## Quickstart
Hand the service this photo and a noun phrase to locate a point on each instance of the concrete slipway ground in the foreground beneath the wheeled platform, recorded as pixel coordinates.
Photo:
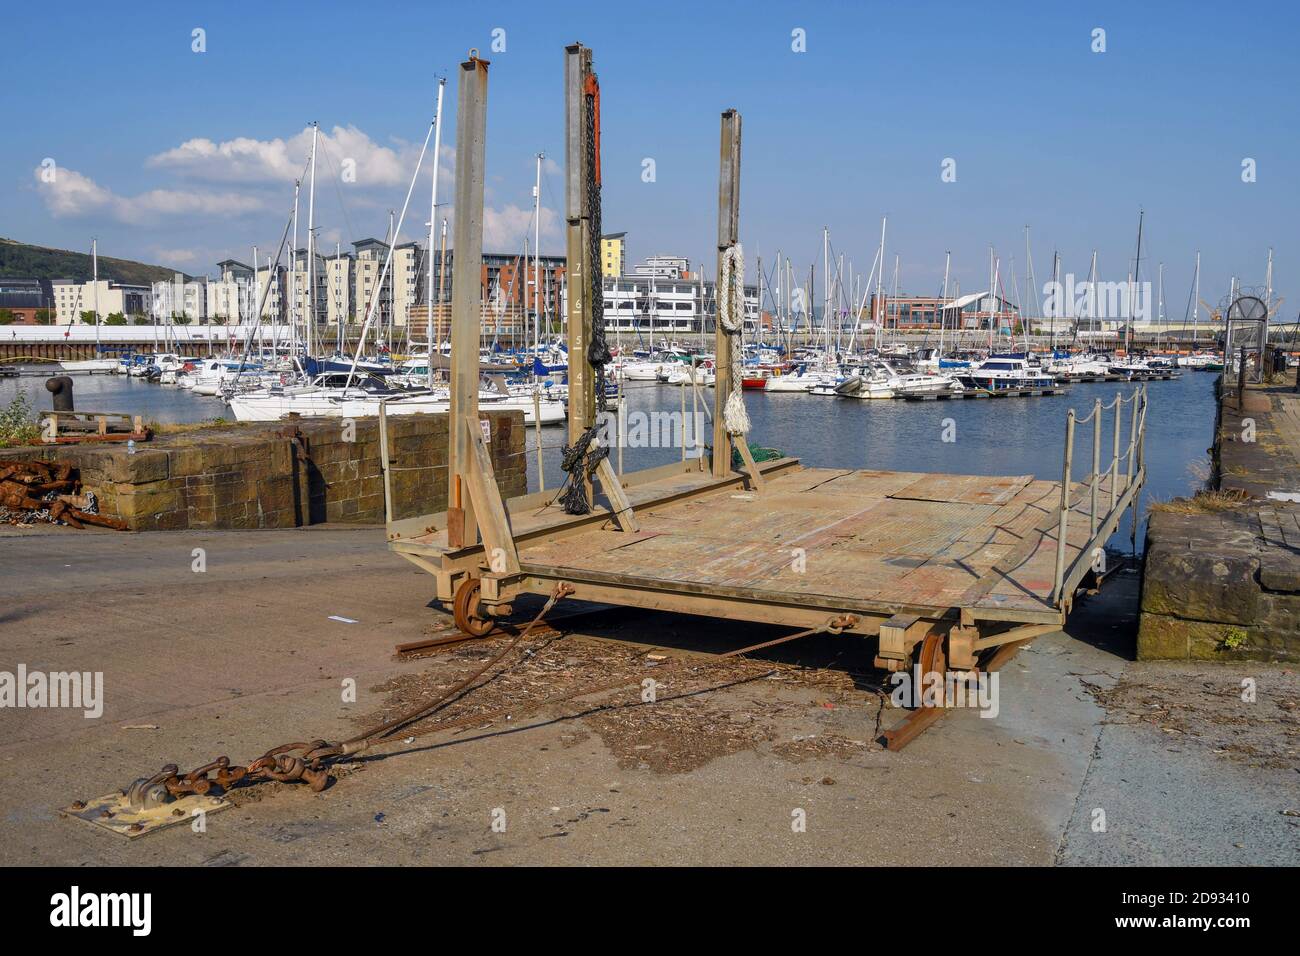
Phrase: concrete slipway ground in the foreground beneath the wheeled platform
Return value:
(244, 656)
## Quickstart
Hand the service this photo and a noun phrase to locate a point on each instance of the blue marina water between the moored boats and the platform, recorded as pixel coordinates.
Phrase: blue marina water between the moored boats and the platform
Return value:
(1008, 436)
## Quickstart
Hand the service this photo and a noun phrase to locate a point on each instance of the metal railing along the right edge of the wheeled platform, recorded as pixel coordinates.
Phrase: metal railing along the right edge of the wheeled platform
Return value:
(1120, 491)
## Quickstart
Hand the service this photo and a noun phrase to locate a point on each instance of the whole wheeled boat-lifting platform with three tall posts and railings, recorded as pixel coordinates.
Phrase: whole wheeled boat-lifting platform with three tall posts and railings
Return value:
(943, 570)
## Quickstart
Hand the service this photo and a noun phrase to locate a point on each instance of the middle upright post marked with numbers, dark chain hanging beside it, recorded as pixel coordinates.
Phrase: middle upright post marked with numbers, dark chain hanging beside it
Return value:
(578, 175)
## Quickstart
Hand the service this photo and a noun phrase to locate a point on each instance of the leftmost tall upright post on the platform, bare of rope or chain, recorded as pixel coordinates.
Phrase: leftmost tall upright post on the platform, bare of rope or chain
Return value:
(466, 282)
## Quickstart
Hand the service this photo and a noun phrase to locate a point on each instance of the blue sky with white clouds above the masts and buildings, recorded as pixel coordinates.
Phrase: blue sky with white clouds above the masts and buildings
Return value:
(183, 158)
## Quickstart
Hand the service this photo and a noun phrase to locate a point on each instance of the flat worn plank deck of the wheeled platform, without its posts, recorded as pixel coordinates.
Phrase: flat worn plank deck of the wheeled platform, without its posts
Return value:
(809, 544)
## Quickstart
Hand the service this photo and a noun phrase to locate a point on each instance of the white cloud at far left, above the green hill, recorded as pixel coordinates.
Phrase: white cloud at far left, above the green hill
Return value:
(73, 194)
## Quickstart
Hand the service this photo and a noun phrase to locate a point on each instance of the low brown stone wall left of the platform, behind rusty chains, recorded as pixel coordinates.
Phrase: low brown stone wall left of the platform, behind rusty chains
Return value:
(283, 475)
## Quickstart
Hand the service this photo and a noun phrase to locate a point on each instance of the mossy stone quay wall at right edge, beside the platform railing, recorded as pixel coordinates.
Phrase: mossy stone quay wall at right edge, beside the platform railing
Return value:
(1223, 569)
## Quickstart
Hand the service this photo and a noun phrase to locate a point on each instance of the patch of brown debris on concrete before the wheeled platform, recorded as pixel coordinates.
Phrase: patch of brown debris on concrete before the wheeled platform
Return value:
(716, 708)
